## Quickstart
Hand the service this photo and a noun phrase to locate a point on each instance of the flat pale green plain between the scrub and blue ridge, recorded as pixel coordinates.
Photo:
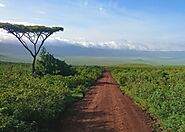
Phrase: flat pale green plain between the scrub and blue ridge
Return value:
(104, 61)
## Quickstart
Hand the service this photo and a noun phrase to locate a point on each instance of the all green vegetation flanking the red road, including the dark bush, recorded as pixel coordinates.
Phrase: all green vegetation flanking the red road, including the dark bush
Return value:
(30, 103)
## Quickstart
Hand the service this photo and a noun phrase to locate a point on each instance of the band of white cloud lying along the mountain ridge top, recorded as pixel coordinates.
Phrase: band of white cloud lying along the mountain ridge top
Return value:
(113, 44)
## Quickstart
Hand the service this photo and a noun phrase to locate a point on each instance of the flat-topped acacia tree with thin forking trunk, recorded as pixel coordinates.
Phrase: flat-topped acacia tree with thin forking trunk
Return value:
(36, 35)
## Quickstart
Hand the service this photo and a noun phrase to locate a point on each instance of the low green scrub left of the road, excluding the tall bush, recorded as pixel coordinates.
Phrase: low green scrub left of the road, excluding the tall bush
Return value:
(30, 103)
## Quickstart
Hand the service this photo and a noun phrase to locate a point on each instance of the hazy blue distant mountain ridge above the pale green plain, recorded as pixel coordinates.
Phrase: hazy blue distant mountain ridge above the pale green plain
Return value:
(65, 49)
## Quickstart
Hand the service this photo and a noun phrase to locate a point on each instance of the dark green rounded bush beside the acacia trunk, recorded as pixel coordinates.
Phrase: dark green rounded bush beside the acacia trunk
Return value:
(48, 64)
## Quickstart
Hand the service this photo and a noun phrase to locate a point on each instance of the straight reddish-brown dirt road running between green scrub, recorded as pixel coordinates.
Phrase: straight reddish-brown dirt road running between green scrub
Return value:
(105, 109)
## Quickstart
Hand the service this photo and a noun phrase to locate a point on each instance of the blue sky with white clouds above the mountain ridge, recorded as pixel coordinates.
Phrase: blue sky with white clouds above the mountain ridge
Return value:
(117, 24)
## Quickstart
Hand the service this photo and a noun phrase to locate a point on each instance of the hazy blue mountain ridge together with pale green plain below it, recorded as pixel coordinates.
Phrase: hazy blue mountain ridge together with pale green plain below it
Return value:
(78, 54)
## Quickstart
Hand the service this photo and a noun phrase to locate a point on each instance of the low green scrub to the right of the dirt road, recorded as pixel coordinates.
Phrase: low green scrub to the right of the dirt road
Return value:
(160, 90)
